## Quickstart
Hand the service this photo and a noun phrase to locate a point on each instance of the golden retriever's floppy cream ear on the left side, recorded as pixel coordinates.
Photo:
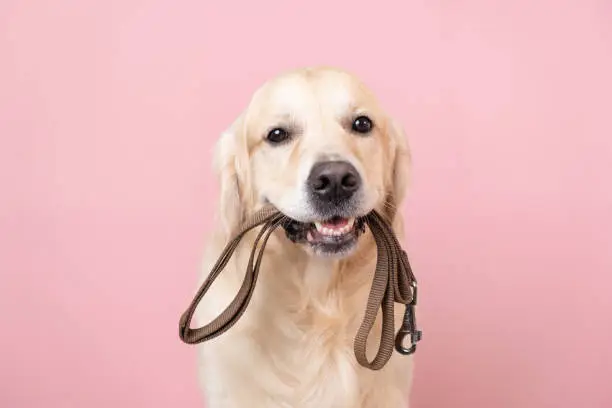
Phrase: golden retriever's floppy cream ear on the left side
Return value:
(230, 164)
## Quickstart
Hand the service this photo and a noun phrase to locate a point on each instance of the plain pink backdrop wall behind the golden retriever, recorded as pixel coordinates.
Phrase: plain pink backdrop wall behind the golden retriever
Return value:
(108, 111)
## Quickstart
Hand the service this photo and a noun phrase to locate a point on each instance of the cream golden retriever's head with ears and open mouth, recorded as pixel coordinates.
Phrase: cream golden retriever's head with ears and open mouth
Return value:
(315, 144)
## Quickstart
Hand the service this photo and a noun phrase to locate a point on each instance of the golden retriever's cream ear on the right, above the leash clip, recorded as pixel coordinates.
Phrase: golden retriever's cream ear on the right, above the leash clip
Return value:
(402, 160)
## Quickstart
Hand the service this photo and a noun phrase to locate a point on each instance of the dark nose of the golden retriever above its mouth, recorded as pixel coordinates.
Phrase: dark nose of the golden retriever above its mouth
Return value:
(333, 181)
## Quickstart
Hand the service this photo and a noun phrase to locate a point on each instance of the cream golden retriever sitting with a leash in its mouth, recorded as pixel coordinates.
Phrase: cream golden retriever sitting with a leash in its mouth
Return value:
(314, 143)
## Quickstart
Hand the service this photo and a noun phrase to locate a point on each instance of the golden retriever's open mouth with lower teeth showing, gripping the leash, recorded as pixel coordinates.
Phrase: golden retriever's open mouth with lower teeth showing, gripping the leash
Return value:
(334, 236)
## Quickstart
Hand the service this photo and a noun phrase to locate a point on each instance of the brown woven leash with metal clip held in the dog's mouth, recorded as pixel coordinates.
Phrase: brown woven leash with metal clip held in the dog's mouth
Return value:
(393, 282)
